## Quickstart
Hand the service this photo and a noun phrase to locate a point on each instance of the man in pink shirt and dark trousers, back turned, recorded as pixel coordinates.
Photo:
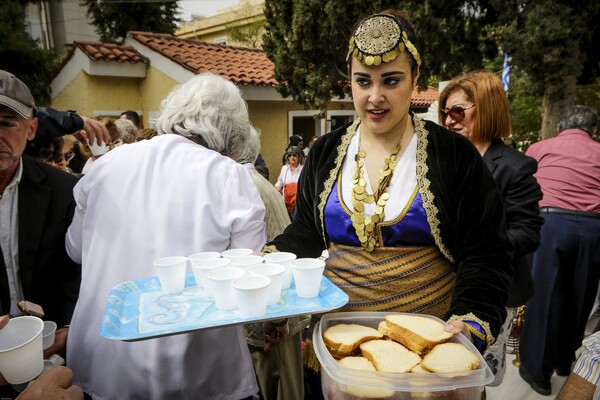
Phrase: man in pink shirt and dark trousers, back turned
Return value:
(566, 266)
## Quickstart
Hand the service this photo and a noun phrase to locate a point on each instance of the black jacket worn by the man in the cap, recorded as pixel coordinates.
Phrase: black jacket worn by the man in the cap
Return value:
(48, 276)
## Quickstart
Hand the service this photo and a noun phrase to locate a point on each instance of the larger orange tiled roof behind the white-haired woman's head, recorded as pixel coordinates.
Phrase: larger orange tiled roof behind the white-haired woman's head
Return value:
(241, 65)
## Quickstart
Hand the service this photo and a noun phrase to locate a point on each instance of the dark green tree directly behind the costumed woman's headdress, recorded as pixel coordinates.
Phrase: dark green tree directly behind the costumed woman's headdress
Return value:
(307, 40)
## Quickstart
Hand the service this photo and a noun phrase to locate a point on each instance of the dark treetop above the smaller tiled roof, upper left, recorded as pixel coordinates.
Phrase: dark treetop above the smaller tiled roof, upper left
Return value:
(114, 18)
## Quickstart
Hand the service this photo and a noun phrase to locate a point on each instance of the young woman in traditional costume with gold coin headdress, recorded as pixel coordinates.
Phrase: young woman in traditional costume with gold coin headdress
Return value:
(407, 210)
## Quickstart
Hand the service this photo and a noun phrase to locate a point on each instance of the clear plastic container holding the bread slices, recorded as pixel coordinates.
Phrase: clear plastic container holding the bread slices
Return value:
(340, 383)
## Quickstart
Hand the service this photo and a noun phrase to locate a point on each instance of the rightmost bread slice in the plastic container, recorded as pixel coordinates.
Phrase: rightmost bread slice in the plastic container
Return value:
(450, 357)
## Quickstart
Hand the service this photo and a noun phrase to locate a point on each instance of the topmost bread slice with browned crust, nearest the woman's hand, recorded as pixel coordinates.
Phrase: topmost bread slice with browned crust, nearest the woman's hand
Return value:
(419, 334)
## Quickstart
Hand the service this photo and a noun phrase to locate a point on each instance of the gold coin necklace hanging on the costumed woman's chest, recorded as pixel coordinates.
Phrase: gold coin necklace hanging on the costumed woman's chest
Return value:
(365, 226)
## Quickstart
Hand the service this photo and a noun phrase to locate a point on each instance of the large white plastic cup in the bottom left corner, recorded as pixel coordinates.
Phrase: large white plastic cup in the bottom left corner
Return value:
(21, 350)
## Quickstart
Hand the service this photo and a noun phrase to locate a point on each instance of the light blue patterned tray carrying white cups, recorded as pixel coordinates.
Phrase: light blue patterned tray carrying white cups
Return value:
(138, 309)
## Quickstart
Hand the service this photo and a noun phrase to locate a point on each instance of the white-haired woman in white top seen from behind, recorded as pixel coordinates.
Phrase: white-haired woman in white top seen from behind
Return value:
(177, 194)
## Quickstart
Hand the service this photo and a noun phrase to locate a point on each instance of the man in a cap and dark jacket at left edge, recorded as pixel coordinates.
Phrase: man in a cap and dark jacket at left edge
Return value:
(36, 208)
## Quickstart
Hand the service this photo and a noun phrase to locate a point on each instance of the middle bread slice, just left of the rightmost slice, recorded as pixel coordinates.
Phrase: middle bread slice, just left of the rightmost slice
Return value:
(389, 356)
